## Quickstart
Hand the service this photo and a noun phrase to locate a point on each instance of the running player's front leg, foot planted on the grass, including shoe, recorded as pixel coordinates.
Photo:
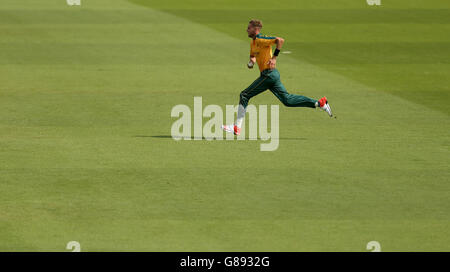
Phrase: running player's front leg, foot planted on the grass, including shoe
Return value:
(258, 86)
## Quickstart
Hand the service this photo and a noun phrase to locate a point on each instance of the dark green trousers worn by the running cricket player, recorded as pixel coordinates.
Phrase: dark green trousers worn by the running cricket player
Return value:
(270, 79)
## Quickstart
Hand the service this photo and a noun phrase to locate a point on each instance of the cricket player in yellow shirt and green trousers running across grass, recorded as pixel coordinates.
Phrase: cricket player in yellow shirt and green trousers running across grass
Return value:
(261, 52)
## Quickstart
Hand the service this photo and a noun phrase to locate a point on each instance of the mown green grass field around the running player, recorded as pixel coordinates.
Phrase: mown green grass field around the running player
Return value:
(85, 150)
